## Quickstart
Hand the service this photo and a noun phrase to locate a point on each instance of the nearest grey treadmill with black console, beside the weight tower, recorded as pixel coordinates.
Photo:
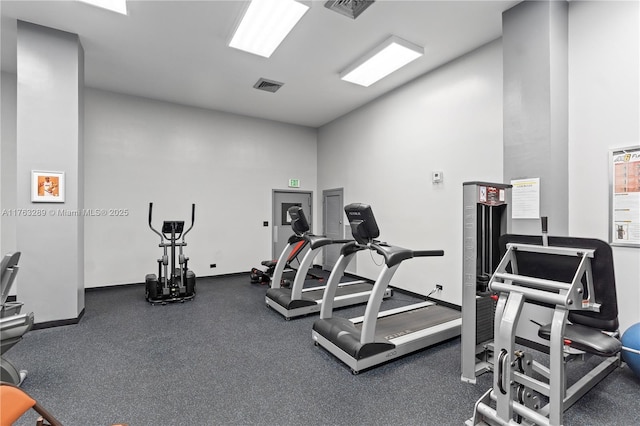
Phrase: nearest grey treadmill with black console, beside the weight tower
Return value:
(378, 337)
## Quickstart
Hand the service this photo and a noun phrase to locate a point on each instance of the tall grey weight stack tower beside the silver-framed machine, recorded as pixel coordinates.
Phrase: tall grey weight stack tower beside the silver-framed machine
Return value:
(486, 216)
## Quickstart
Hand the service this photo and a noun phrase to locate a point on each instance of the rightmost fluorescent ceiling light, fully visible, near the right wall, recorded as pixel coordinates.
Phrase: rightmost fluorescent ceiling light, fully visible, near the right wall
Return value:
(391, 55)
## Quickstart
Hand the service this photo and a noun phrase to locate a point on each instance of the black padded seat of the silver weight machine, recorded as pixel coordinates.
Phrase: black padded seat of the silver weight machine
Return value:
(586, 339)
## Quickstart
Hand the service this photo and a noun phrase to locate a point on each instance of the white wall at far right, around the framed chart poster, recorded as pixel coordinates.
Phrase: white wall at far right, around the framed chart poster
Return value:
(604, 111)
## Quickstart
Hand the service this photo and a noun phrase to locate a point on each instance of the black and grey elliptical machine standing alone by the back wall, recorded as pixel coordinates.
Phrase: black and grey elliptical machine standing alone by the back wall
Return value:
(174, 284)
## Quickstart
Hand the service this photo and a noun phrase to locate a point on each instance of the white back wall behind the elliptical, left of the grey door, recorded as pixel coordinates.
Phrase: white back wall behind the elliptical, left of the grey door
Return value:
(139, 151)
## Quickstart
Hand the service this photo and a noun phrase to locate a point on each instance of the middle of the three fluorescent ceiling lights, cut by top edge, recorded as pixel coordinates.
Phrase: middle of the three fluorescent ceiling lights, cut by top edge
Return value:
(265, 24)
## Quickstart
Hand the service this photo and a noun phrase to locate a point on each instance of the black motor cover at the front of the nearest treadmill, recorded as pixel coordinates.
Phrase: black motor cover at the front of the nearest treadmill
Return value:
(342, 333)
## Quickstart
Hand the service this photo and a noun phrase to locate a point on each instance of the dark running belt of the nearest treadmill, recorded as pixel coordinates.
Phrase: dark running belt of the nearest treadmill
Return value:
(403, 323)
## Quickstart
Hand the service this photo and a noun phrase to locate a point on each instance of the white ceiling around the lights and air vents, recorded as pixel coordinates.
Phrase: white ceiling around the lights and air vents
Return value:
(177, 51)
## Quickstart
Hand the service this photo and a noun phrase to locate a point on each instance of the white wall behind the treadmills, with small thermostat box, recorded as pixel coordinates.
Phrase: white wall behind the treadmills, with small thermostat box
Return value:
(383, 154)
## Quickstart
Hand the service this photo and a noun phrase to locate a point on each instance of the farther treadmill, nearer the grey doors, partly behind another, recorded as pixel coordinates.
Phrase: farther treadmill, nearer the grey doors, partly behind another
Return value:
(299, 301)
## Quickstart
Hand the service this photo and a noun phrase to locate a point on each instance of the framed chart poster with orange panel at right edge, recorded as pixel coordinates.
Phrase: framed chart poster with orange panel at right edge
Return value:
(624, 197)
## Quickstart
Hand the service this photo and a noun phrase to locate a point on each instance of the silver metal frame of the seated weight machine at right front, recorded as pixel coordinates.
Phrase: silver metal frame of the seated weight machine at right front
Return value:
(515, 387)
